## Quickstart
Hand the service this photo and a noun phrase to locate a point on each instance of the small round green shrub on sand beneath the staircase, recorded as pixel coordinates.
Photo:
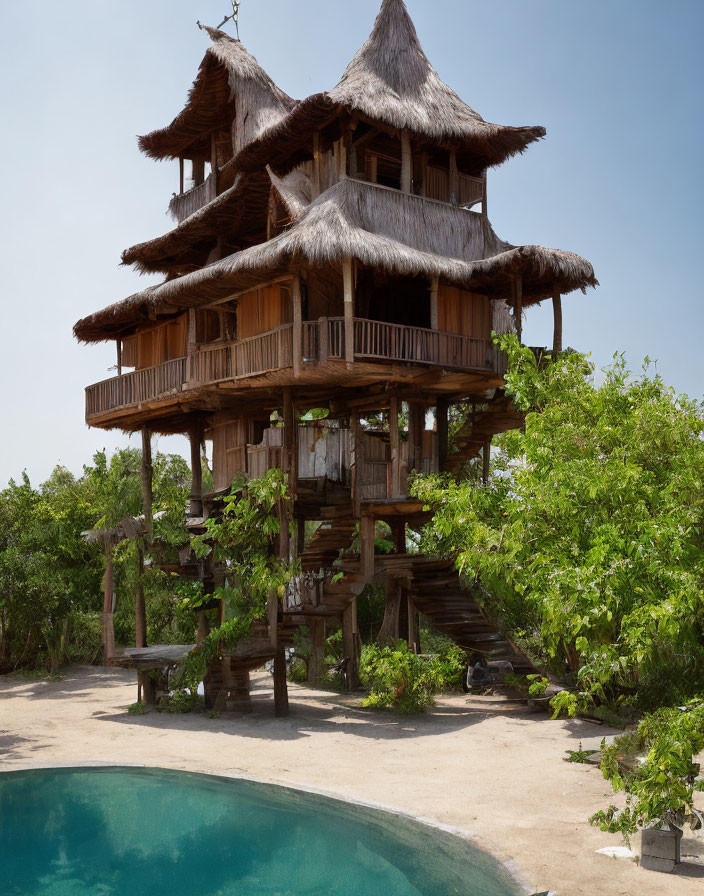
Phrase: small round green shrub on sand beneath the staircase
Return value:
(398, 679)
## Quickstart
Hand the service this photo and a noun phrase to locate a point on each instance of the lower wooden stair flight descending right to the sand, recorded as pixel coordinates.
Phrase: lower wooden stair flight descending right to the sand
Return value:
(438, 593)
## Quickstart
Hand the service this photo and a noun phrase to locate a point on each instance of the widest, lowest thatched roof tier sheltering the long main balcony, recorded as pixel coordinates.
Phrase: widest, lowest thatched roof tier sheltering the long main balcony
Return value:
(378, 227)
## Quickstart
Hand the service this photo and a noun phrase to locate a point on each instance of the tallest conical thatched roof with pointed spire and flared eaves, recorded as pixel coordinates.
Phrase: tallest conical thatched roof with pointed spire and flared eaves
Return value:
(391, 81)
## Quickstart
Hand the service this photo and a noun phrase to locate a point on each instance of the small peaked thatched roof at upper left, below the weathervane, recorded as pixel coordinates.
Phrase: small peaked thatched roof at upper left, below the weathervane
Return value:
(230, 87)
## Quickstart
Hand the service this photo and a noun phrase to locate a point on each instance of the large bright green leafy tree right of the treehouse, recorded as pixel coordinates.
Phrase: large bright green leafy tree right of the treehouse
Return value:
(589, 535)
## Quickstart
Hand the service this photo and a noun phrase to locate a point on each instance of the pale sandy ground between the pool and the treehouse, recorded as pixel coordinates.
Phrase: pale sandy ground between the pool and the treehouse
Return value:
(485, 765)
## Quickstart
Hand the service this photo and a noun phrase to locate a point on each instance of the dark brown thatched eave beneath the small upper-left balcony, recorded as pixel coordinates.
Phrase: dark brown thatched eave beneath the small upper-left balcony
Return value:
(235, 212)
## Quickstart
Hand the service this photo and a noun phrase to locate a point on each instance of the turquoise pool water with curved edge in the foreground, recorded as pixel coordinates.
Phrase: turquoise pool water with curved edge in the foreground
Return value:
(128, 832)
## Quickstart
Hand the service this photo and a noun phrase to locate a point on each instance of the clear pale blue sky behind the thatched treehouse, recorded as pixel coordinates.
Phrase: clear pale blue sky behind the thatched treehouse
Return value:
(617, 84)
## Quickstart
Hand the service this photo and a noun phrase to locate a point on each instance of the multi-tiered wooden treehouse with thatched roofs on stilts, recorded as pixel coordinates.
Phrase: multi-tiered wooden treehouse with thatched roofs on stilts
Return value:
(334, 253)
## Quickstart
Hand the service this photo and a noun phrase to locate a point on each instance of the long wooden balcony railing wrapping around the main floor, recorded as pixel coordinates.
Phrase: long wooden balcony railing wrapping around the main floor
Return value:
(321, 341)
